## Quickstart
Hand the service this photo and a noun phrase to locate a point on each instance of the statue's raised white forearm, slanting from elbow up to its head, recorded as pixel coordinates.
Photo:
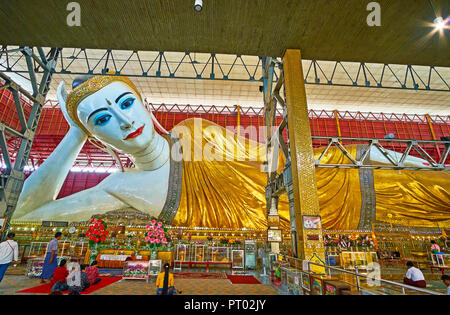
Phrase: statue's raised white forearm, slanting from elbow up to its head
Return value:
(45, 182)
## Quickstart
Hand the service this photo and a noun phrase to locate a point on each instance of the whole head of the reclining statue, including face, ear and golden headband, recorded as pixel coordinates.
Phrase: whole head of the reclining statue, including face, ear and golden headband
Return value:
(110, 109)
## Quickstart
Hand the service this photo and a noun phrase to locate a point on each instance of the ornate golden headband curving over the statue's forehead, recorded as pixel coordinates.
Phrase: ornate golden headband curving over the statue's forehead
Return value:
(89, 87)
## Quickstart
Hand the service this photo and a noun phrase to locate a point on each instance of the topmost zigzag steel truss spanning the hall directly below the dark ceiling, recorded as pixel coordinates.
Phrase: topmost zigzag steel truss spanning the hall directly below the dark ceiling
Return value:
(230, 67)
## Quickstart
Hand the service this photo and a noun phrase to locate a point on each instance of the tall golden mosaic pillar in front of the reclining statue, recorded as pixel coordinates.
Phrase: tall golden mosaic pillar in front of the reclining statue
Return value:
(306, 202)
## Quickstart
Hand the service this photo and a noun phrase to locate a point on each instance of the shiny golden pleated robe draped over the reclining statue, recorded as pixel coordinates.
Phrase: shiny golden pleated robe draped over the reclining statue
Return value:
(221, 191)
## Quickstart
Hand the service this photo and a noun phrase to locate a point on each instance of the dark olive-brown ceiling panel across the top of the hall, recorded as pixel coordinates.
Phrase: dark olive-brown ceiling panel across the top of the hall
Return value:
(323, 29)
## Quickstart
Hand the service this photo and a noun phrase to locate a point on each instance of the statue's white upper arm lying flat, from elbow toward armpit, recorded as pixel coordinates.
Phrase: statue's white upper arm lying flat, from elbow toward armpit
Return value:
(79, 206)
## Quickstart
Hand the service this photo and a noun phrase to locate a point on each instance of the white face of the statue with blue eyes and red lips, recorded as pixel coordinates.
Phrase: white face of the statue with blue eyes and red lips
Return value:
(116, 116)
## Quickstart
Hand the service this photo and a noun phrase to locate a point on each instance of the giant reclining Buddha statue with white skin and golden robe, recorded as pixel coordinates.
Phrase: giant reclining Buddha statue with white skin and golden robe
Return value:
(176, 179)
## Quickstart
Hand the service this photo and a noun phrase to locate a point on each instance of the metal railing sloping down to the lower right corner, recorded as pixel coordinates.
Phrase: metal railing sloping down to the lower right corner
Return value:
(385, 287)
